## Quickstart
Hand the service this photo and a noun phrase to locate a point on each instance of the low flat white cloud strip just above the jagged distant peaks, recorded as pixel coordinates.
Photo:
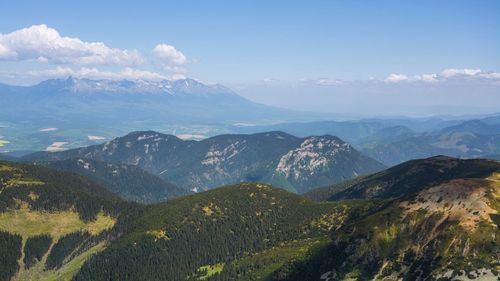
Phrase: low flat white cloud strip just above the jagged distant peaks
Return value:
(94, 73)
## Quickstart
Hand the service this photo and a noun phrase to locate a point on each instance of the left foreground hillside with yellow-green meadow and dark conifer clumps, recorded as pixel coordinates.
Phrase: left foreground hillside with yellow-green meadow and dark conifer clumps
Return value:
(51, 222)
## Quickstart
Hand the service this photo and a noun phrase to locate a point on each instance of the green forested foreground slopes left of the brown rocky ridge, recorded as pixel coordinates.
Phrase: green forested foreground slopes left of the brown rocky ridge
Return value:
(55, 223)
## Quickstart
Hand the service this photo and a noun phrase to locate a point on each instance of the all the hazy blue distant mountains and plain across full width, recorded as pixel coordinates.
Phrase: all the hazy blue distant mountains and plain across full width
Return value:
(67, 113)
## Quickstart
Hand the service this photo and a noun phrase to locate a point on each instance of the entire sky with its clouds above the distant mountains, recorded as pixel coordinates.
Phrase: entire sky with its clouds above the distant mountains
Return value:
(375, 57)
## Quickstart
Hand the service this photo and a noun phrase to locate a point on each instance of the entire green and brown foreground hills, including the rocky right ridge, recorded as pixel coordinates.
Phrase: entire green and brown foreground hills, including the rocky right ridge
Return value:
(428, 219)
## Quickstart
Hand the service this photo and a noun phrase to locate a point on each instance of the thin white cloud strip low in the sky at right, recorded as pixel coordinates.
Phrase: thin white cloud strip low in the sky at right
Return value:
(445, 75)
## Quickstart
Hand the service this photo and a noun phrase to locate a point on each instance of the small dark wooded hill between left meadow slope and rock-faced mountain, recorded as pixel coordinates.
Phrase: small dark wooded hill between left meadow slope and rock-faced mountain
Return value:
(127, 181)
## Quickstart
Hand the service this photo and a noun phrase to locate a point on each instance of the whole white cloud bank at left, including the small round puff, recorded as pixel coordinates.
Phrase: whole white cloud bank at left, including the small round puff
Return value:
(62, 56)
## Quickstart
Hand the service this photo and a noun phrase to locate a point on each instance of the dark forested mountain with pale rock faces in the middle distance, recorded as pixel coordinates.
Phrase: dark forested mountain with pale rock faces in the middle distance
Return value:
(298, 164)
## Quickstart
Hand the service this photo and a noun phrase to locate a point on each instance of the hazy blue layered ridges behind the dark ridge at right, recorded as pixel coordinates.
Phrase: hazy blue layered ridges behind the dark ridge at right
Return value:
(393, 141)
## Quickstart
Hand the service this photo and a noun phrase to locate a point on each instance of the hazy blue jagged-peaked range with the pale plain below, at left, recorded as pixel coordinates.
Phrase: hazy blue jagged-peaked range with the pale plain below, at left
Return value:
(81, 112)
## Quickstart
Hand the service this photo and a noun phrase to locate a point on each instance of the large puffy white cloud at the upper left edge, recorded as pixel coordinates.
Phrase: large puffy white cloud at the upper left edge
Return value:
(44, 44)
